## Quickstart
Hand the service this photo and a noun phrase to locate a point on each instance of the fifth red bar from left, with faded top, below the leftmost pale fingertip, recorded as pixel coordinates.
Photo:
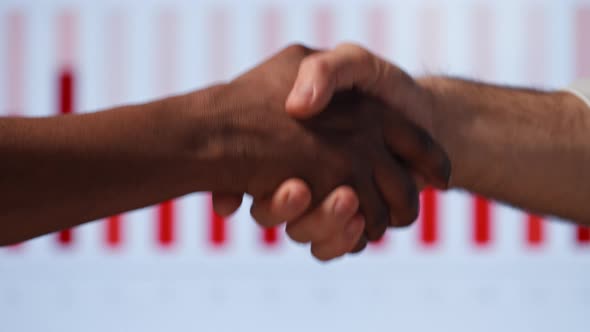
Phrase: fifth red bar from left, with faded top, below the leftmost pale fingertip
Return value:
(218, 21)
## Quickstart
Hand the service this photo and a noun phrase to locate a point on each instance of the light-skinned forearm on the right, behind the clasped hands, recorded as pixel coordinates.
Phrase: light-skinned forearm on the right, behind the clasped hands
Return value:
(524, 147)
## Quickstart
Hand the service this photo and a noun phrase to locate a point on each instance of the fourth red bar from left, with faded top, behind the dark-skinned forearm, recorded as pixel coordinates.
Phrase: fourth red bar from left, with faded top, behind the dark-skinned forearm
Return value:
(167, 78)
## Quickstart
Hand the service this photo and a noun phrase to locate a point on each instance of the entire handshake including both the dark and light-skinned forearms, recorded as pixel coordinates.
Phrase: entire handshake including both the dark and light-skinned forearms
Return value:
(336, 143)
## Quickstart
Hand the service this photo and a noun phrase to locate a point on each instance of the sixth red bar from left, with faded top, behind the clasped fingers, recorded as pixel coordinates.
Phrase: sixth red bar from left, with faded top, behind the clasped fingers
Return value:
(271, 24)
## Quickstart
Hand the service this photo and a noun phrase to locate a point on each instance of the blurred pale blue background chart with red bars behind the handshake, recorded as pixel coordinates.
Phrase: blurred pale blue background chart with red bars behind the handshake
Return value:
(466, 265)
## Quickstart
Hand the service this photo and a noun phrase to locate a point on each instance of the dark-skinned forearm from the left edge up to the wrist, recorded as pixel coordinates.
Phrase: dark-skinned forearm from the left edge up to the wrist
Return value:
(58, 172)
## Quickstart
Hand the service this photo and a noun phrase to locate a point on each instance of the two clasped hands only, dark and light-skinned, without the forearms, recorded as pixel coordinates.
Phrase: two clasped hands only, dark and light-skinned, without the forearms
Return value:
(336, 143)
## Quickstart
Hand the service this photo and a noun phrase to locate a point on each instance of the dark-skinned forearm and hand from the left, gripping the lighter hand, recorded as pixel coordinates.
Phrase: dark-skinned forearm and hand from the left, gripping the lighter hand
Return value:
(227, 139)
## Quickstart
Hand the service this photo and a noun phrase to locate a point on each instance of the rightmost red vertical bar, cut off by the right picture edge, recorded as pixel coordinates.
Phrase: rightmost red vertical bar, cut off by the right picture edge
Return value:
(582, 23)
